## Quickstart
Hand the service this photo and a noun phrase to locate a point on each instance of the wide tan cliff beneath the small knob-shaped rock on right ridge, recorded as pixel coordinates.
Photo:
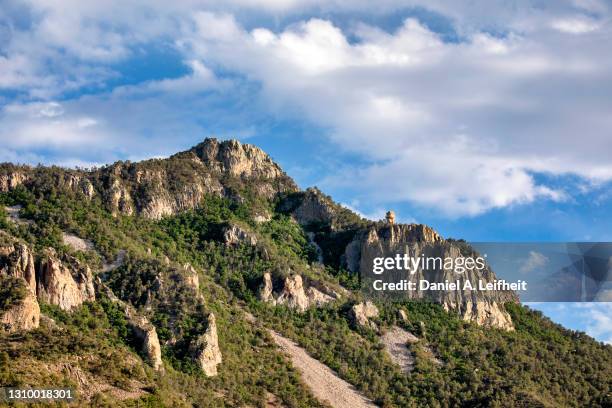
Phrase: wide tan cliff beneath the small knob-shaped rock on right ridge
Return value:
(389, 240)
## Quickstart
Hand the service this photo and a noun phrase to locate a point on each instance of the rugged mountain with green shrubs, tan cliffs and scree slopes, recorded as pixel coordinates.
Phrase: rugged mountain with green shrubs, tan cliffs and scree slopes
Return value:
(191, 280)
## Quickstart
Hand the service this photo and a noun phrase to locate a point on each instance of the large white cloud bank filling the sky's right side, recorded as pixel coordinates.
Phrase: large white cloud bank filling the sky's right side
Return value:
(458, 126)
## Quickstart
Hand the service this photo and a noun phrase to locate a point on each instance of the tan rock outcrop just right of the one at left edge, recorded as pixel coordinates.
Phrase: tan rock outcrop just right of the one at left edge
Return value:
(63, 285)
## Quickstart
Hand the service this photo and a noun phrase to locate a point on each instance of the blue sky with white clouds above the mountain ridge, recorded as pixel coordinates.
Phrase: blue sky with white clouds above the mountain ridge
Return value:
(488, 120)
